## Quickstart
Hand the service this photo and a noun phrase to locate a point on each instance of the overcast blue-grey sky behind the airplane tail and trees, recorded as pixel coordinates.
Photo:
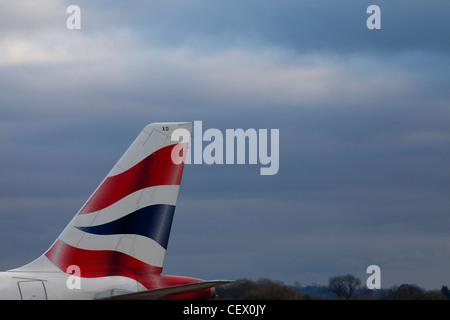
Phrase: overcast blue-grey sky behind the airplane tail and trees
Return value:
(364, 120)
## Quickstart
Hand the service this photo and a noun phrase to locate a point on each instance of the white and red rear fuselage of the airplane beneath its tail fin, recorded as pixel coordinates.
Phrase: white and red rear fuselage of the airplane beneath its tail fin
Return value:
(16, 285)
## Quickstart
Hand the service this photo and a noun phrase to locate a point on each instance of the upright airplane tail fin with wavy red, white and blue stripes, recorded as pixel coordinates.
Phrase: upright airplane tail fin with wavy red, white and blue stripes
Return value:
(124, 226)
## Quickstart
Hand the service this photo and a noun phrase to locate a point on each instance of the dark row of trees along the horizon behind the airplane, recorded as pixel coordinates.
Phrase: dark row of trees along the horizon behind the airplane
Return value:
(339, 288)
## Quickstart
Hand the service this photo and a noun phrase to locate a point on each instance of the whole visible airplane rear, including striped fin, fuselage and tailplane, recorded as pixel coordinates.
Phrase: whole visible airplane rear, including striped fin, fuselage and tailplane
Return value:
(114, 247)
